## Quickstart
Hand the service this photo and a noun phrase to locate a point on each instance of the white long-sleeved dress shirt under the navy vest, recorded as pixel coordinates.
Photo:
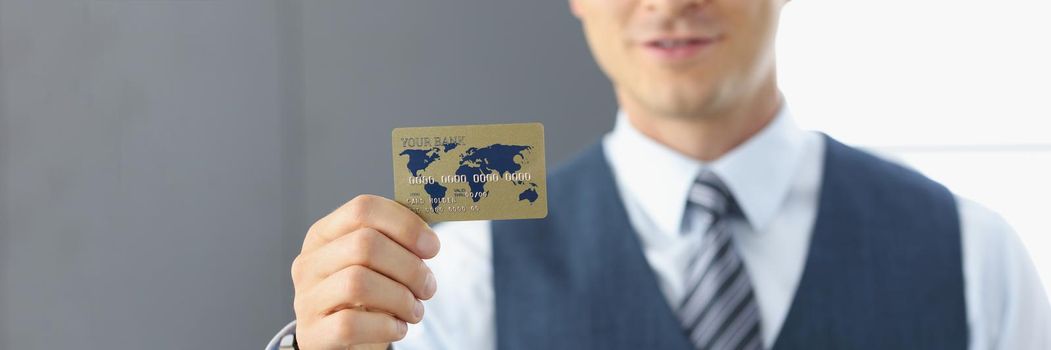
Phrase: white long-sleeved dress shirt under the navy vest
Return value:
(776, 178)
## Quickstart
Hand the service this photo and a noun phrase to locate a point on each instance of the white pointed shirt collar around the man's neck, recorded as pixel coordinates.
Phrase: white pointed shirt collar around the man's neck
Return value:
(758, 173)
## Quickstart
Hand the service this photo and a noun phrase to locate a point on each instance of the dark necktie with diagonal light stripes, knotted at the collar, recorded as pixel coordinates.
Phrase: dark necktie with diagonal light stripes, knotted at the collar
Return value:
(719, 311)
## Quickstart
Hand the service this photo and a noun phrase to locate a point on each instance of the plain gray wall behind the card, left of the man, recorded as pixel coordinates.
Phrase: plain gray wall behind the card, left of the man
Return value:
(160, 160)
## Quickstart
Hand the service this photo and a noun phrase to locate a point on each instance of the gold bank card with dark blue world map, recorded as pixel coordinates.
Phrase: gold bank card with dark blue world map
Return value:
(471, 172)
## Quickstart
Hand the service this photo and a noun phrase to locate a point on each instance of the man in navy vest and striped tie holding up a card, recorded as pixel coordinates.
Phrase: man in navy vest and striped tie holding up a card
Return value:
(706, 220)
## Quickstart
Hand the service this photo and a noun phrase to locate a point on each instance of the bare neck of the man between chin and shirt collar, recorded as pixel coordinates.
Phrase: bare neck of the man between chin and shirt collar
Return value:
(710, 136)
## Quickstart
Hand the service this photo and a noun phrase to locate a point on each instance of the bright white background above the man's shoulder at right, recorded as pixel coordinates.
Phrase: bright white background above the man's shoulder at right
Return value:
(958, 90)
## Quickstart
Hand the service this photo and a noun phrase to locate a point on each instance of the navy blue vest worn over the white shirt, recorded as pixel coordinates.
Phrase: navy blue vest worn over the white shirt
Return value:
(883, 272)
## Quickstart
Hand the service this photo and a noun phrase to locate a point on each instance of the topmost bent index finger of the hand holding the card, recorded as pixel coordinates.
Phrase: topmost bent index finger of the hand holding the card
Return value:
(380, 214)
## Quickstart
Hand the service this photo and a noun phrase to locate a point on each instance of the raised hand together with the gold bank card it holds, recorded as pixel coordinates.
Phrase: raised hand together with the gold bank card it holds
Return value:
(361, 276)
